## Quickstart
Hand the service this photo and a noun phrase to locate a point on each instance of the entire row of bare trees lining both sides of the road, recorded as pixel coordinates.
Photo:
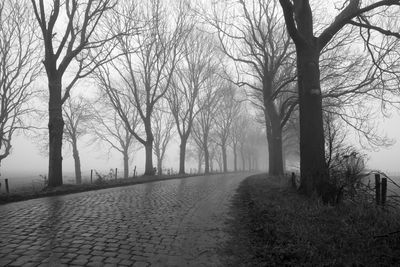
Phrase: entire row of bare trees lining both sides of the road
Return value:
(189, 66)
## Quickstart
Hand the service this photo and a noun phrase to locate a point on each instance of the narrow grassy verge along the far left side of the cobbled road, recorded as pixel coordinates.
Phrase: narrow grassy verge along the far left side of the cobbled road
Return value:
(71, 188)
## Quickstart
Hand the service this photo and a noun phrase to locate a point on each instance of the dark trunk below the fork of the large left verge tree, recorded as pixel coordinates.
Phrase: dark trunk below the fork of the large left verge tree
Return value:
(56, 127)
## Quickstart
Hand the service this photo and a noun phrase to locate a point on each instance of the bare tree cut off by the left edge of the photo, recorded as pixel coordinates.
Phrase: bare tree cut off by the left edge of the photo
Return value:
(19, 67)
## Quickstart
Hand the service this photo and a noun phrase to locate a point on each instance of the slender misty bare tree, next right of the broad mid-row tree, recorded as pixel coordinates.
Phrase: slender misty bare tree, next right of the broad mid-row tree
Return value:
(190, 77)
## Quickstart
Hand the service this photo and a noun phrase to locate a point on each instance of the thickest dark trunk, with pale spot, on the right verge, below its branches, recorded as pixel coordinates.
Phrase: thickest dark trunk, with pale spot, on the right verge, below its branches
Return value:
(312, 148)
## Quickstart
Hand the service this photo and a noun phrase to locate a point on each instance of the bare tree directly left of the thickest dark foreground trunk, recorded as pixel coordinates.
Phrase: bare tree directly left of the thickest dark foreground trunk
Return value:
(253, 36)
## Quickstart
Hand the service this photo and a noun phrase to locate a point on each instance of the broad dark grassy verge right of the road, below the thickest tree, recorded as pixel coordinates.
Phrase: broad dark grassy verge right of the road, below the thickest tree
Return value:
(272, 225)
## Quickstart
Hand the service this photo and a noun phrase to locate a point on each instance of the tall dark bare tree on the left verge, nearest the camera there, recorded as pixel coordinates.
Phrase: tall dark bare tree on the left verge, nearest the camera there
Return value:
(69, 38)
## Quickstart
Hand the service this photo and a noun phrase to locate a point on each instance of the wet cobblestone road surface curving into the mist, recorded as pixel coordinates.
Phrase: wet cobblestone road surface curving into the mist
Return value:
(167, 223)
